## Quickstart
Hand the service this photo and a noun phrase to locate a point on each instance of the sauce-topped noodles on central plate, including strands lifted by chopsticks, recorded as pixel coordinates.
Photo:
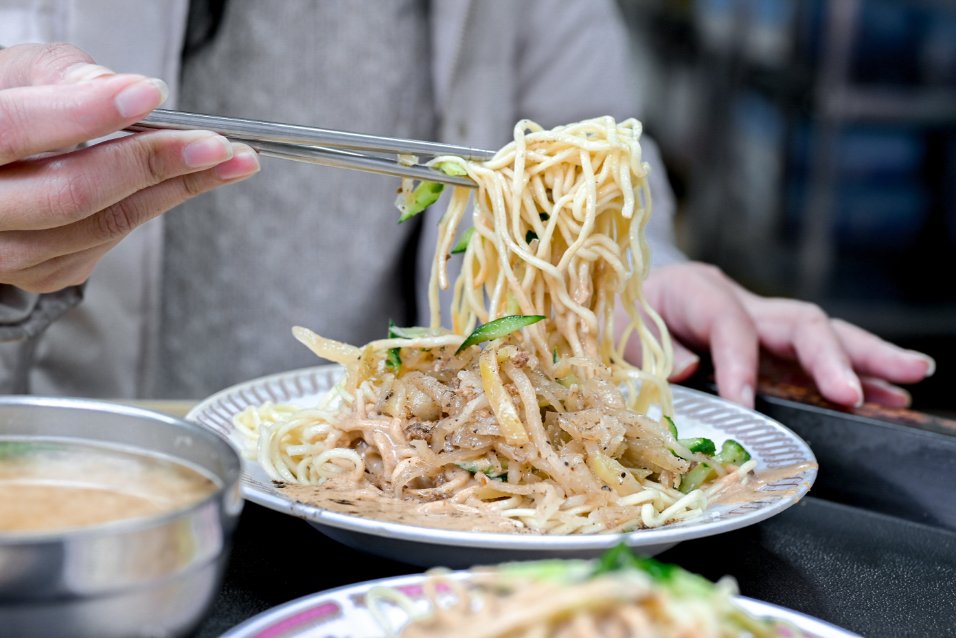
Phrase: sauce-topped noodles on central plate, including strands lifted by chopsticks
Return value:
(540, 427)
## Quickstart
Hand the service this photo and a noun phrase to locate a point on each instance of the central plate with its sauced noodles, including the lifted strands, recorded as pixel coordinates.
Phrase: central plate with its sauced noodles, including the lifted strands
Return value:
(518, 421)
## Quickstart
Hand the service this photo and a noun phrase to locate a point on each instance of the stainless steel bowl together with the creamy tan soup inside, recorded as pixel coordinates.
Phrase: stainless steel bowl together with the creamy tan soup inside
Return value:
(114, 521)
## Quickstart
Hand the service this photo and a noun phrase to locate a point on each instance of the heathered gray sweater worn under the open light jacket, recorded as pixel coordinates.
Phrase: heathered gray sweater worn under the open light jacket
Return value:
(282, 245)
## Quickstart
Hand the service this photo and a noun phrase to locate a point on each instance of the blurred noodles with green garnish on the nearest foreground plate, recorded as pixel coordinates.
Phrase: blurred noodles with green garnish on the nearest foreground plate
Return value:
(568, 599)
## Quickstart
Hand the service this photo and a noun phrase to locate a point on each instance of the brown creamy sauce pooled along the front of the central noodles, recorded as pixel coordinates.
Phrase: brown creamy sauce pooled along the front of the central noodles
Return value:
(344, 497)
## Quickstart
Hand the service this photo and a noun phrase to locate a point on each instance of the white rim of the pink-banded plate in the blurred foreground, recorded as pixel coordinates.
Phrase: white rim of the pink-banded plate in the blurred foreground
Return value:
(342, 613)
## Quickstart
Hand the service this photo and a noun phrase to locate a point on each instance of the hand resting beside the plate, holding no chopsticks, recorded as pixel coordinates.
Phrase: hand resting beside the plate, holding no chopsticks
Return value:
(704, 309)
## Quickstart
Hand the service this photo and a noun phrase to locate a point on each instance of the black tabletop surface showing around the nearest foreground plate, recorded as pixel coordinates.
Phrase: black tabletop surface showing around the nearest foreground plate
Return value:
(871, 573)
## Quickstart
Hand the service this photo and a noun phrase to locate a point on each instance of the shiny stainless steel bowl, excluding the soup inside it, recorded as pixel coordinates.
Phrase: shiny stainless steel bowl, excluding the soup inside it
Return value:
(153, 576)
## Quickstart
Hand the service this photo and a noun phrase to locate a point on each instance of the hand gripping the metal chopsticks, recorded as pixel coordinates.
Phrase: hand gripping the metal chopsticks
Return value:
(60, 212)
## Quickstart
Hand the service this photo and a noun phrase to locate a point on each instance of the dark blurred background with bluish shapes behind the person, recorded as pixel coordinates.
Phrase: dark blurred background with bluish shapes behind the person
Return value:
(812, 148)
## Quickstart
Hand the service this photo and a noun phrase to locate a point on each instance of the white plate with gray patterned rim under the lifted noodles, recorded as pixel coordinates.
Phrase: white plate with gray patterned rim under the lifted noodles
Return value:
(697, 414)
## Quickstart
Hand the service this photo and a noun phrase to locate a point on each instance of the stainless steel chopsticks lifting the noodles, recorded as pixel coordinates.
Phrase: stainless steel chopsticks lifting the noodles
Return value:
(327, 147)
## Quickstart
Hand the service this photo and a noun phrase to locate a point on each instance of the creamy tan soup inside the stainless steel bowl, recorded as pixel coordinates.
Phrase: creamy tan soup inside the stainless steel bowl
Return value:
(57, 485)
